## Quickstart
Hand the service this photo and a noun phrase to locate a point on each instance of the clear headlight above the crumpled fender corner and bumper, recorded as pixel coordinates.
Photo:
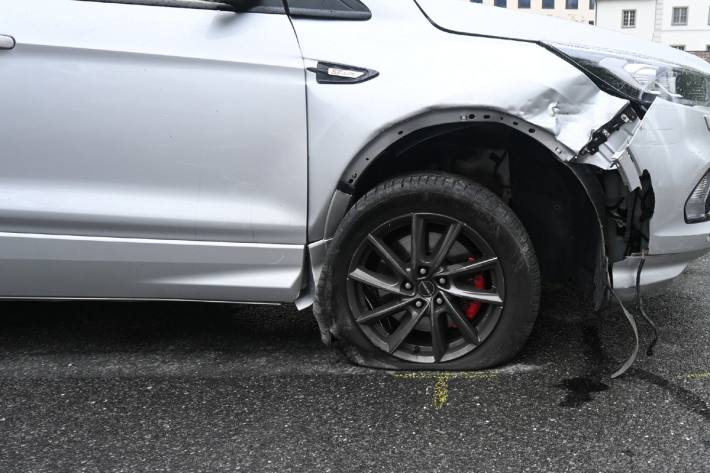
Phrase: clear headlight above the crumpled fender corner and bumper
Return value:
(641, 78)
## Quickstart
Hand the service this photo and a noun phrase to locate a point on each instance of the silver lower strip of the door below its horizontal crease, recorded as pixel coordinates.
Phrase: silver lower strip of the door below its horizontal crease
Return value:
(81, 267)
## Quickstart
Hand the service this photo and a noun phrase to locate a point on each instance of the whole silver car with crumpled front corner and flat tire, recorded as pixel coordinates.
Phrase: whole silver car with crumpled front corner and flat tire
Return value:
(414, 169)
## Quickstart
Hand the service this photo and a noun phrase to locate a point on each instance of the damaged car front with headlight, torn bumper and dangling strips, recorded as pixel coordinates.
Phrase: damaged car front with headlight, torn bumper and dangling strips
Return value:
(653, 158)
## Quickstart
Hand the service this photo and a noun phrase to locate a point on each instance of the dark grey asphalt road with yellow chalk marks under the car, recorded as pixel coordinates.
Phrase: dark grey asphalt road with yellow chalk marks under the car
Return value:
(136, 387)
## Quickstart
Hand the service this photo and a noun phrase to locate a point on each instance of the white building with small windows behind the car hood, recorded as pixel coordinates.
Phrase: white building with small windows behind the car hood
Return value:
(684, 24)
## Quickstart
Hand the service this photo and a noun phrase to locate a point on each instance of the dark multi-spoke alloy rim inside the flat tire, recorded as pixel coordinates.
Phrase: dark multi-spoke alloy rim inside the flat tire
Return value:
(416, 309)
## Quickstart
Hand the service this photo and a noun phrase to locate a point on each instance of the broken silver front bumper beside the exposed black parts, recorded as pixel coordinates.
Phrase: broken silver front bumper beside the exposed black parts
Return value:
(672, 143)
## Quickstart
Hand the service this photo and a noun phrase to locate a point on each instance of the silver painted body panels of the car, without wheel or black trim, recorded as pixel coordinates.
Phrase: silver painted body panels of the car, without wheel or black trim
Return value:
(170, 153)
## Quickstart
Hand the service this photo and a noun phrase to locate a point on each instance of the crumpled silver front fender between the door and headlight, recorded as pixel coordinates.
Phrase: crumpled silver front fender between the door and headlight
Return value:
(424, 70)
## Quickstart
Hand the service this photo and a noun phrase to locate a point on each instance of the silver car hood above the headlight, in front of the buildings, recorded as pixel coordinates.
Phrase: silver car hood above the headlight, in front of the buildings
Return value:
(464, 17)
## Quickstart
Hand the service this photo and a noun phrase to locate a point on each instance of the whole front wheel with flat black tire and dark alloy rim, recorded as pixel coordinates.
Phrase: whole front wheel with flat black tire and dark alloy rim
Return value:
(373, 266)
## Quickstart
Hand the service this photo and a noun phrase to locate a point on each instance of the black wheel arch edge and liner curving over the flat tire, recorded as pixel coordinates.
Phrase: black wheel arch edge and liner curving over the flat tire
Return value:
(397, 140)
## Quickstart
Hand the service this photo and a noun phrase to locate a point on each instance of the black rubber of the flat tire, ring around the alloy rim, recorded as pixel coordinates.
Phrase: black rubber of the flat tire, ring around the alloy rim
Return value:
(487, 215)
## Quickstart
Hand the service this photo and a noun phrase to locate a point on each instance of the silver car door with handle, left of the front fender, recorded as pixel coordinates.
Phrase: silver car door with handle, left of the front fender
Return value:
(151, 149)
